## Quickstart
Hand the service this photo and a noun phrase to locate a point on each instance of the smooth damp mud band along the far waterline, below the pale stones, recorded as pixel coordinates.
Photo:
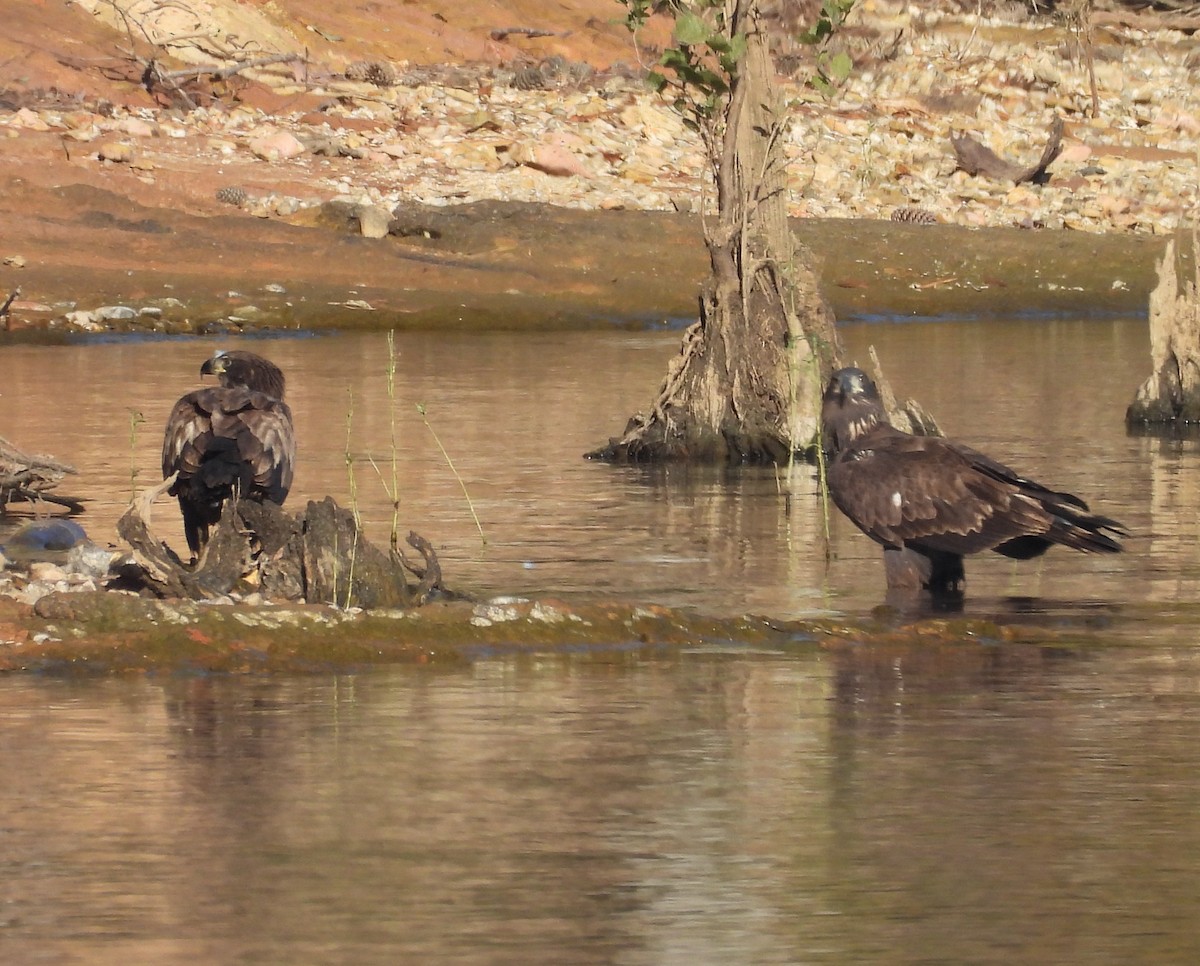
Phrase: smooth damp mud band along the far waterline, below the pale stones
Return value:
(535, 267)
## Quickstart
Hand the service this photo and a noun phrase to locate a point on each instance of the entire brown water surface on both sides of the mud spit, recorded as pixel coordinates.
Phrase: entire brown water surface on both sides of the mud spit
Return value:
(965, 805)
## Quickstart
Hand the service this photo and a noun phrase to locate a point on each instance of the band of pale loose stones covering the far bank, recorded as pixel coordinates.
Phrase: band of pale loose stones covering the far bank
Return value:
(566, 134)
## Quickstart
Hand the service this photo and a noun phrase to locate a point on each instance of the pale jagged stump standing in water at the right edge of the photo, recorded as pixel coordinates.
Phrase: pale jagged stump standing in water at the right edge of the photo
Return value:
(1171, 397)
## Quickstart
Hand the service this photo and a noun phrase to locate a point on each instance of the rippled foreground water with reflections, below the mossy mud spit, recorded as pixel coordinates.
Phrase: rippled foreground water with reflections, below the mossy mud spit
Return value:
(957, 805)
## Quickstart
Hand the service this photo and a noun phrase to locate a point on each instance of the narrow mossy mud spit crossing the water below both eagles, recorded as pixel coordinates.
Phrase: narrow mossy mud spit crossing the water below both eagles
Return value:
(106, 633)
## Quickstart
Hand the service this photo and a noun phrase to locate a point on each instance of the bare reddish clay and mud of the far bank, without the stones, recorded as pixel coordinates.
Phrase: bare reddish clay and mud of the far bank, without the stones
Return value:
(95, 233)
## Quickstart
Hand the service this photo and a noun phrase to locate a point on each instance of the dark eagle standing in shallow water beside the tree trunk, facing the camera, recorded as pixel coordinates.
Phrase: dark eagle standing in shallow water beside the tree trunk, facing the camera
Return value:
(931, 502)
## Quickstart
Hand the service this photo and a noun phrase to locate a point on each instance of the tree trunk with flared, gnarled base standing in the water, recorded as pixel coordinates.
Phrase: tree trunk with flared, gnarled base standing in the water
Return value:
(747, 383)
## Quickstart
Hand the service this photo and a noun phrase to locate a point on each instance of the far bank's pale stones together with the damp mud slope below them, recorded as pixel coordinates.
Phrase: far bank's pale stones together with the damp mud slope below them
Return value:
(299, 196)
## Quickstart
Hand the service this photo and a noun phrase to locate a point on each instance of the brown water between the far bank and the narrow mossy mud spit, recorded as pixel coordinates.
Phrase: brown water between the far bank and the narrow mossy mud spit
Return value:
(517, 412)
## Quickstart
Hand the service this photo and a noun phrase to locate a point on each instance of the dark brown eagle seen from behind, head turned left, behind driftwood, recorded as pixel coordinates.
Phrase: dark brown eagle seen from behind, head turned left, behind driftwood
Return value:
(235, 439)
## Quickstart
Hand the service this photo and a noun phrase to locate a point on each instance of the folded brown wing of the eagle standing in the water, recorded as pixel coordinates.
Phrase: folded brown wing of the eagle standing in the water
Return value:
(928, 494)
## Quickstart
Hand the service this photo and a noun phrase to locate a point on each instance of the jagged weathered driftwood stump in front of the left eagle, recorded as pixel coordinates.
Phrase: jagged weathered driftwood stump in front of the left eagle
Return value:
(320, 557)
